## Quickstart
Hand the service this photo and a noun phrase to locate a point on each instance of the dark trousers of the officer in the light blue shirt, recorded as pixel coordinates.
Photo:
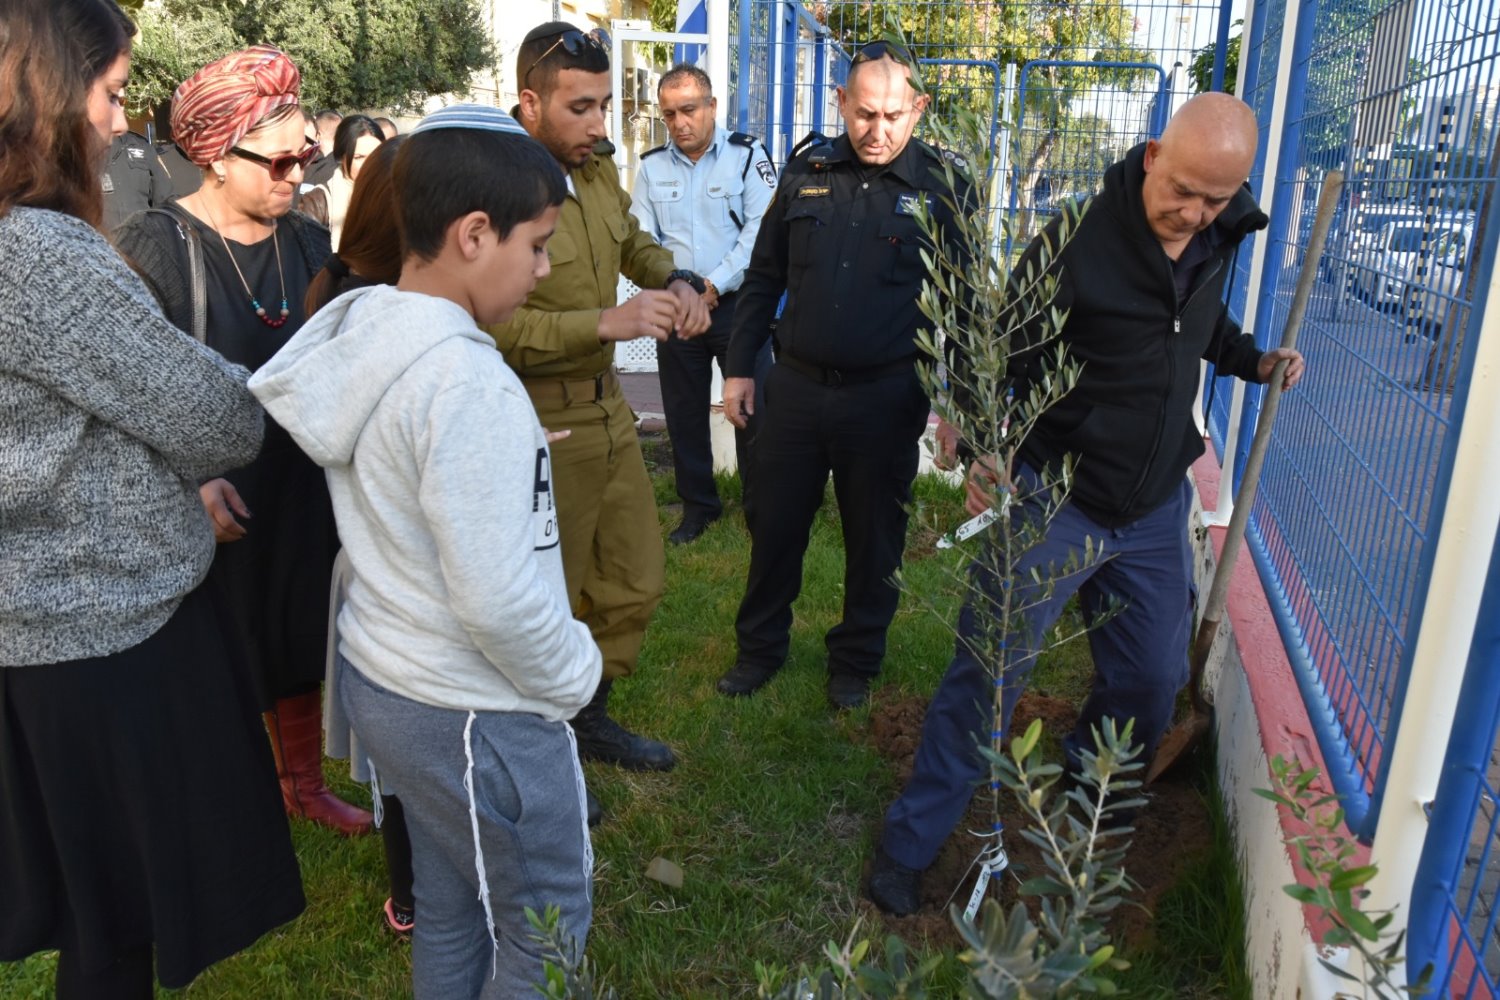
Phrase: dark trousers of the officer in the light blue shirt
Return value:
(685, 370)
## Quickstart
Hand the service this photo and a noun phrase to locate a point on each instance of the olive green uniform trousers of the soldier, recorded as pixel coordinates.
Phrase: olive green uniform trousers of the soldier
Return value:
(613, 555)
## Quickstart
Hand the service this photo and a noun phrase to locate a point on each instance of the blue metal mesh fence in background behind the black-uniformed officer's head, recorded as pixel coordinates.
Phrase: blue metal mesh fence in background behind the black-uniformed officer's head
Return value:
(1069, 86)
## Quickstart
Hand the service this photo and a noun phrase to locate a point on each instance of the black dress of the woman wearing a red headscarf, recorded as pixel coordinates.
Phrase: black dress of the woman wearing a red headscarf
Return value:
(275, 581)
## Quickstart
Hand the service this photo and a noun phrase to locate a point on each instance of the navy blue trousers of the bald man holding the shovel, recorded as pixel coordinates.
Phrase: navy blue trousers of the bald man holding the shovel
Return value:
(1141, 660)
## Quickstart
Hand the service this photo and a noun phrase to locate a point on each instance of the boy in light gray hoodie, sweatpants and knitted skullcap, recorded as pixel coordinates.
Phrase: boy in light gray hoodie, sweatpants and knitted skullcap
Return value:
(460, 657)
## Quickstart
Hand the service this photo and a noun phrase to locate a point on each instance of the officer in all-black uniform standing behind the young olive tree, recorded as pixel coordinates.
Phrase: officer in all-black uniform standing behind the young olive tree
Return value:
(842, 241)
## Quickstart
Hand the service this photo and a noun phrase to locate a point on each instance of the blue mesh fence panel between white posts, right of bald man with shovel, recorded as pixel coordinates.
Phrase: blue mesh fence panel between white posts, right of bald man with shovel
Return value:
(1345, 521)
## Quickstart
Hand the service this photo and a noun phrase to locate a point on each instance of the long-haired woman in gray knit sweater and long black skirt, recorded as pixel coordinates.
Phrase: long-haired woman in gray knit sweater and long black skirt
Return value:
(139, 824)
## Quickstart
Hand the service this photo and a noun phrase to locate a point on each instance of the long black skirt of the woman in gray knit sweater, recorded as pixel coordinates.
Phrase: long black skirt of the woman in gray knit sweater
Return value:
(139, 806)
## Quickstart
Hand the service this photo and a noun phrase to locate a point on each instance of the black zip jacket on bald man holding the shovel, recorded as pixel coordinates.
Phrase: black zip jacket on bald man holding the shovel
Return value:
(1130, 418)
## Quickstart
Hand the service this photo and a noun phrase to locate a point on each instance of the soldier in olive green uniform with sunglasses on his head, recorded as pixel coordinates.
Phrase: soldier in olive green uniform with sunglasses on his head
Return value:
(562, 344)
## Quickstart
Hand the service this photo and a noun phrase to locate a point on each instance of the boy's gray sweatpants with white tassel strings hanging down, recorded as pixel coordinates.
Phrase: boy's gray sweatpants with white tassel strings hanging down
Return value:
(479, 861)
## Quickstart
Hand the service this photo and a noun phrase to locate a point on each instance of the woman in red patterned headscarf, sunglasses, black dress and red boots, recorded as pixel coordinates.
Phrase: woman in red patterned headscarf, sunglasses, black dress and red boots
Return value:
(232, 263)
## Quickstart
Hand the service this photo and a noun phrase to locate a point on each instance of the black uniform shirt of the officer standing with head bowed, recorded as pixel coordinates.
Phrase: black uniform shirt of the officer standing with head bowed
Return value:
(842, 241)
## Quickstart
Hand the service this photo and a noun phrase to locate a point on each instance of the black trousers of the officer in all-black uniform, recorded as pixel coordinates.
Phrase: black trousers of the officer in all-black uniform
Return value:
(868, 436)
